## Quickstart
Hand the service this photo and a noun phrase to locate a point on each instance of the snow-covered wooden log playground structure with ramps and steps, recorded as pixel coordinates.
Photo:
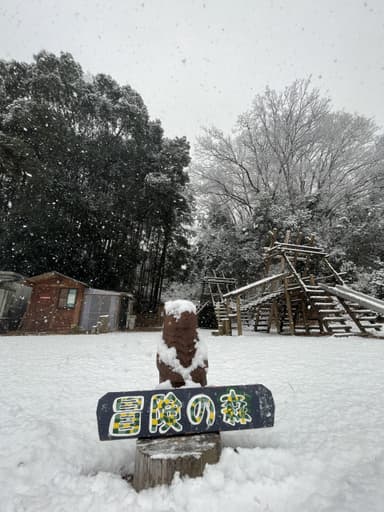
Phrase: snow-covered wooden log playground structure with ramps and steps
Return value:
(301, 293)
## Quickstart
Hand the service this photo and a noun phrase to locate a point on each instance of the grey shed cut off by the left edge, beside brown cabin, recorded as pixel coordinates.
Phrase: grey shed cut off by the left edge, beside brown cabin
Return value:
(14, 296)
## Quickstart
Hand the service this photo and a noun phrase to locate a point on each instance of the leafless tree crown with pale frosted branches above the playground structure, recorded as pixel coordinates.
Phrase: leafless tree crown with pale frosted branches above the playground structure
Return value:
(293, 149)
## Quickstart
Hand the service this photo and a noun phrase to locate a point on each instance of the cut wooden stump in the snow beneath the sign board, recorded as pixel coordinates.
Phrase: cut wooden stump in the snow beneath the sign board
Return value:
(157, 460)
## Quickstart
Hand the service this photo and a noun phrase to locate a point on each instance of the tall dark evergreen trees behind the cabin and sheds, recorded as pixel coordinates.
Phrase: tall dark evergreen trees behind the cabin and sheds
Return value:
(89, 186)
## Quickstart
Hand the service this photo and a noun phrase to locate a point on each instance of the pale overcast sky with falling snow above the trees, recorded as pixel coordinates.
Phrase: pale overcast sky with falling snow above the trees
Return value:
(201, 62)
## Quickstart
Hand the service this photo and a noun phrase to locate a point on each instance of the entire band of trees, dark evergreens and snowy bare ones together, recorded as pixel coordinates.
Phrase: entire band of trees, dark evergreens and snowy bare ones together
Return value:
(90, 187)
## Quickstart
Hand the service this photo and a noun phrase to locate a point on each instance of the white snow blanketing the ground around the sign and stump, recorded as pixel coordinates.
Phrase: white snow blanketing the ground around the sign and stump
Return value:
(326, 451)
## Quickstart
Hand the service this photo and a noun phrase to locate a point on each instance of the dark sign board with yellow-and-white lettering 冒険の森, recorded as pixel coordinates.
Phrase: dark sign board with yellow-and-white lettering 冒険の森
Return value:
(177, 411)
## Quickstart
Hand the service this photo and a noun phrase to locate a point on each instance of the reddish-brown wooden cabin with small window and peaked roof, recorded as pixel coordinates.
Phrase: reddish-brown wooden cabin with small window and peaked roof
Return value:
(55, 304)
